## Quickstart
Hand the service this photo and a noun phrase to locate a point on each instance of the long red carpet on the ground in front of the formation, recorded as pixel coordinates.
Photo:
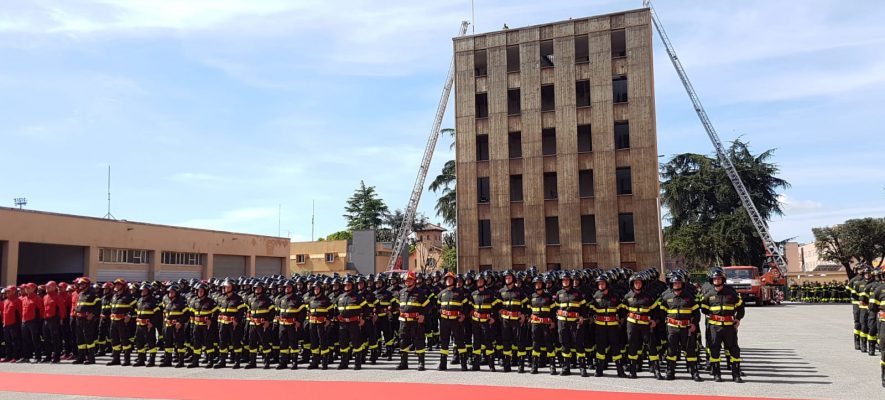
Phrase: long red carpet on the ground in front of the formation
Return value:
(214, 389)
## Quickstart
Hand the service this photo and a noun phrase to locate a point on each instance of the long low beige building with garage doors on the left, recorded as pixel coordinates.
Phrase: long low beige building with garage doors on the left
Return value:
(37, 246)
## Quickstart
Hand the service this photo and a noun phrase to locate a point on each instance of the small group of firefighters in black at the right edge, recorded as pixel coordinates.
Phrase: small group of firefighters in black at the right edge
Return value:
(867, 290)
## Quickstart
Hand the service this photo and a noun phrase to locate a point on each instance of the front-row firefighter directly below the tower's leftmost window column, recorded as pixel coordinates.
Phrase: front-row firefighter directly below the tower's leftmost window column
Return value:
(485, 304)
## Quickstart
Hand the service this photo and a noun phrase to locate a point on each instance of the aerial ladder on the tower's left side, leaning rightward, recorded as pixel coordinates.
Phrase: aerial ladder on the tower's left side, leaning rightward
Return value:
(405, 227)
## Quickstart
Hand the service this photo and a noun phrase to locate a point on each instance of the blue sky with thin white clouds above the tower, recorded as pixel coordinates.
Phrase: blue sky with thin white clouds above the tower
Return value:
(239, 115)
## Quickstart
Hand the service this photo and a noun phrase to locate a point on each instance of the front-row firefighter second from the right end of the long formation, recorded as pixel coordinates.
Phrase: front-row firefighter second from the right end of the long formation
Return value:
(683, 316)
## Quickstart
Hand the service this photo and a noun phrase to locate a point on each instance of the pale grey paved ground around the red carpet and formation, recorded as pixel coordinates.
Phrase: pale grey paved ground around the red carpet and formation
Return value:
(789, 351)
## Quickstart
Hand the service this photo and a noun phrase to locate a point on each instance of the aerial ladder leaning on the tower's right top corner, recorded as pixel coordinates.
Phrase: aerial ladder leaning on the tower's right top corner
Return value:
(771, 247)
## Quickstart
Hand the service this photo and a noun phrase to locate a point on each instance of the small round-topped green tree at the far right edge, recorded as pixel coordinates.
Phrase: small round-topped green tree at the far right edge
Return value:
(860, 241)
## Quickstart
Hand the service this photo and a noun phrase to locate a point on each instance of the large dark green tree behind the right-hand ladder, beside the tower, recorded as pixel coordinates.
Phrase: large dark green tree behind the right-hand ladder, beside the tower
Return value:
(708, 224)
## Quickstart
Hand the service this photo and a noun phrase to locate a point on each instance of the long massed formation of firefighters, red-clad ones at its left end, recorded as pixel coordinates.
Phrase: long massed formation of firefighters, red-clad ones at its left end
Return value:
(562, 322)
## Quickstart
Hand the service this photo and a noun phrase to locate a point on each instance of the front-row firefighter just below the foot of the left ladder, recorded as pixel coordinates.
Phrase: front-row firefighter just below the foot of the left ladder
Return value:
(413, 303)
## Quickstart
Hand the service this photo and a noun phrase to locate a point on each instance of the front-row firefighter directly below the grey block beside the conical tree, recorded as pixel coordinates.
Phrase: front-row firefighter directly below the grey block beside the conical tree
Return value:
(352, 312)
